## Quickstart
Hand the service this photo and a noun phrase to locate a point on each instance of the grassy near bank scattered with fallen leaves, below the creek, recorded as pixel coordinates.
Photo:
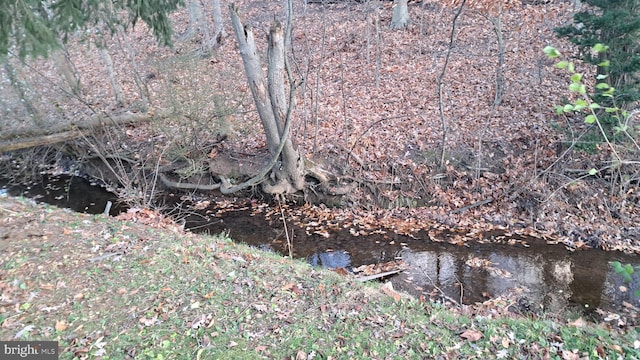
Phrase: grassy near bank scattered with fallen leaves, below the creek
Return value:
(170, 295)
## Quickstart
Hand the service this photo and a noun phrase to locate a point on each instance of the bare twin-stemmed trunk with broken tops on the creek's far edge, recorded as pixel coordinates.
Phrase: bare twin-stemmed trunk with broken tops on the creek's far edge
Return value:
(288, 175)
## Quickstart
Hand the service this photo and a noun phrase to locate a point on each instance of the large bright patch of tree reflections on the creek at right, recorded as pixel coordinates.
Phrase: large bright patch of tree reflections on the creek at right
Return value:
(552, 280)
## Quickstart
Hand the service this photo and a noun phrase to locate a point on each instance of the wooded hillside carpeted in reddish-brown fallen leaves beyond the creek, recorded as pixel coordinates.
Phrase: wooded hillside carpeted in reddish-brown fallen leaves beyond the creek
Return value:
(368, 112)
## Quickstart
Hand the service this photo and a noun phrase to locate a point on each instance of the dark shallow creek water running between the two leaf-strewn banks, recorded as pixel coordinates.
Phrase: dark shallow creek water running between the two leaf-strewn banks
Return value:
(548, 277)
